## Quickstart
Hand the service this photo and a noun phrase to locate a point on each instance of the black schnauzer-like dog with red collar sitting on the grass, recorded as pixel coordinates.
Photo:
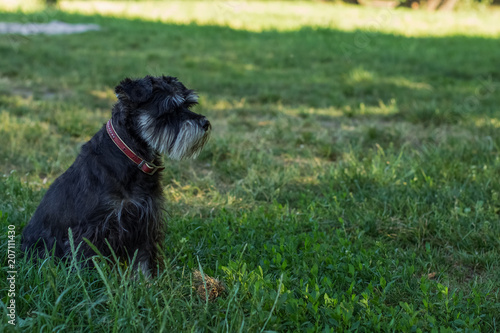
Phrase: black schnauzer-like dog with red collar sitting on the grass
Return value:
(112, 195)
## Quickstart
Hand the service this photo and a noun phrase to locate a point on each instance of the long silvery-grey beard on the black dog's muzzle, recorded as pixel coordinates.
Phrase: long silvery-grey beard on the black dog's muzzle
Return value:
(187, 144)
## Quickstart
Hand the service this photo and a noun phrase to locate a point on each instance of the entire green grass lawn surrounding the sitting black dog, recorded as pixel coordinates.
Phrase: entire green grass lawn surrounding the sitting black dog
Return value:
(351, 184)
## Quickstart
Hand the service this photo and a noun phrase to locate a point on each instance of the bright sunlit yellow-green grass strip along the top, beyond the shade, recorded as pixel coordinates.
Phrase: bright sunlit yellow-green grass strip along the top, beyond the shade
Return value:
(277, 15)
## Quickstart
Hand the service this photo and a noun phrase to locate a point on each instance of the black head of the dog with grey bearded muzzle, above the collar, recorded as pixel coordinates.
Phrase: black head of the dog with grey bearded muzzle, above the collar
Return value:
(158, 109)
